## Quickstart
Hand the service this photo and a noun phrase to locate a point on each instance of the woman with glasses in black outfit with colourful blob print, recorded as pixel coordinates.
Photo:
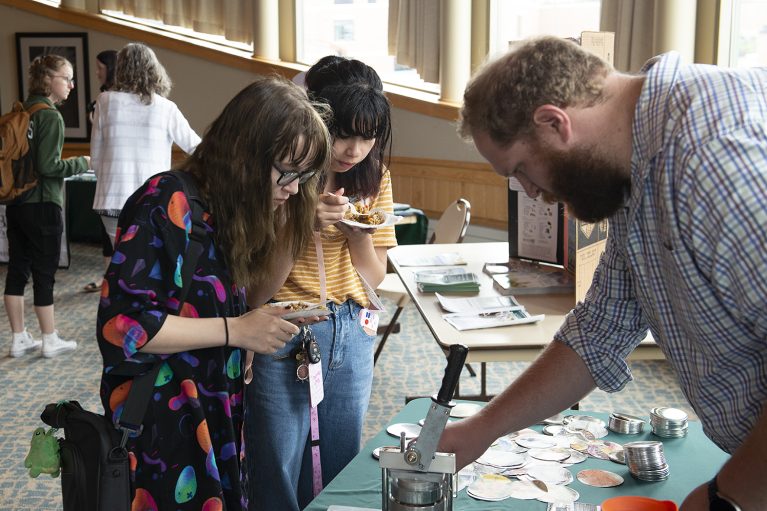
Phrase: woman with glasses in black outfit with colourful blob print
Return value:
(189, 455)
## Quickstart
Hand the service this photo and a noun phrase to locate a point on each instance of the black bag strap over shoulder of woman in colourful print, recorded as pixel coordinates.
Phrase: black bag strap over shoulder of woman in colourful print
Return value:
(135, 405)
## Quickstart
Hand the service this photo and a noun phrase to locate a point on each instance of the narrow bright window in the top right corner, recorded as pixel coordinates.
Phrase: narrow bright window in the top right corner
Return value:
(748, 39)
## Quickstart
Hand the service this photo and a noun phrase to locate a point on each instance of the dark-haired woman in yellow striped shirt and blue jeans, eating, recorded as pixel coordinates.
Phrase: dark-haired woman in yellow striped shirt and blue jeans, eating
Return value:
(279, 419)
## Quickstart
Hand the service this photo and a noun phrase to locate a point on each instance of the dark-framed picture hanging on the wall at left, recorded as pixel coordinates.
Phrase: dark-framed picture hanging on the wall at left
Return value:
(74, 47)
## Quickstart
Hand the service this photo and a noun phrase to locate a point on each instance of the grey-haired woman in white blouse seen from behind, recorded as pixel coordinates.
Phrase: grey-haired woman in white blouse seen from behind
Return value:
(134, 129)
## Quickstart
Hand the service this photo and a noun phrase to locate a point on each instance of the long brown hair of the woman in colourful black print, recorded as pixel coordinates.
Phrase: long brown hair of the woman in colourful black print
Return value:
(268, 121)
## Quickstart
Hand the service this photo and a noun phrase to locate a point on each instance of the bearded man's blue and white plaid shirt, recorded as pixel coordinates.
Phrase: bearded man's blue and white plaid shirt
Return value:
(687, 255)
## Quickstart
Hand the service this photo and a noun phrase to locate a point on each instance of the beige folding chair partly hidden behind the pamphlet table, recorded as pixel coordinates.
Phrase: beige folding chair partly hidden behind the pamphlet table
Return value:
(451, 228)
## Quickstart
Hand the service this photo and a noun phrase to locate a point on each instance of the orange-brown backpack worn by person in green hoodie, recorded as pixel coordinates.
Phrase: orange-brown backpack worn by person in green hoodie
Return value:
(17, 174)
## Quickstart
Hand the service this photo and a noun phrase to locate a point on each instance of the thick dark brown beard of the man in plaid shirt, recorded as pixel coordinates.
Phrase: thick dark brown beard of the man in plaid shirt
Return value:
(592, 187)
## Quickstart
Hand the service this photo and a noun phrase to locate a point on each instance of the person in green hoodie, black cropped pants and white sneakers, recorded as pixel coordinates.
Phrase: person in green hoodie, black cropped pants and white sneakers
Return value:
(35, 224)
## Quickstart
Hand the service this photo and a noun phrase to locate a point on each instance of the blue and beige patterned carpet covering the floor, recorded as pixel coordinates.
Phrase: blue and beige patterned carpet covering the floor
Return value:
(411, 364)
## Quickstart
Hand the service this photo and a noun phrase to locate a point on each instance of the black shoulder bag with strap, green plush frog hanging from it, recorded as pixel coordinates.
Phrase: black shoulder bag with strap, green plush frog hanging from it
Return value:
(95, 469)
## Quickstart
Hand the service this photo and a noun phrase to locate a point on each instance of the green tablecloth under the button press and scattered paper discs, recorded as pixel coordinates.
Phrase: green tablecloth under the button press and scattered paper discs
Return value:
(692, 460)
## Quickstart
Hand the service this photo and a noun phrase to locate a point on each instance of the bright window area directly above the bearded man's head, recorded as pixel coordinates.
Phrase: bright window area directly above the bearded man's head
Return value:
(513, 20)
